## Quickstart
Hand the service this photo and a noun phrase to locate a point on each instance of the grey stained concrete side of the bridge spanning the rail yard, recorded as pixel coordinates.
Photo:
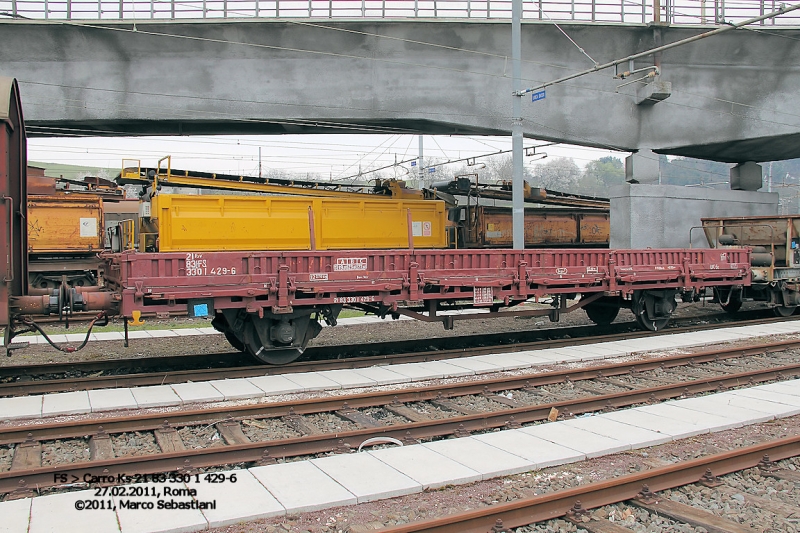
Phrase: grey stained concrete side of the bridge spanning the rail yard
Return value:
(734, 96)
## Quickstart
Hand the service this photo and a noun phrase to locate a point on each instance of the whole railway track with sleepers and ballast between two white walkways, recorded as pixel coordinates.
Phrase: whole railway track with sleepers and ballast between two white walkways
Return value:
(31, 455)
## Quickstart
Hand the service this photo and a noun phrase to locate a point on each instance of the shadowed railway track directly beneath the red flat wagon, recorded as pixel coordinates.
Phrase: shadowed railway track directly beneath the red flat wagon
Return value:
(89, 375)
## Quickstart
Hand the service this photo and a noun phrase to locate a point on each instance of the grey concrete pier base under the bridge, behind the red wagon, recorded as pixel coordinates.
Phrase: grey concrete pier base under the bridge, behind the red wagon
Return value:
(660, 216)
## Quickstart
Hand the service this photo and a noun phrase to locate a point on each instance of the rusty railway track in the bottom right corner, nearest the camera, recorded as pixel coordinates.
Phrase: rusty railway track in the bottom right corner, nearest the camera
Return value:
(641, 491)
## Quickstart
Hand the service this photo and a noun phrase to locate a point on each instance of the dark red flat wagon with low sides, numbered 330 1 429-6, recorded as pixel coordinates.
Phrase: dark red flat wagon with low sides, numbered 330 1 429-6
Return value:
(270, 303)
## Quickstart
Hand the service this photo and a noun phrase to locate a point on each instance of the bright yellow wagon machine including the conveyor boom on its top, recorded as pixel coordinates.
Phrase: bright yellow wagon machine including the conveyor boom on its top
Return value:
(291, 217)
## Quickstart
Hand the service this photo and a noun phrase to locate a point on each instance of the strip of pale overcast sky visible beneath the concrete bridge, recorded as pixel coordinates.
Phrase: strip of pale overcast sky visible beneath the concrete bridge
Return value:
(327, 156)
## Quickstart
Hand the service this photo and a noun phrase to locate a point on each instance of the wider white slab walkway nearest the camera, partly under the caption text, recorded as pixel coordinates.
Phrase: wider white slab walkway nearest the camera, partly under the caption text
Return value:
(346, 479)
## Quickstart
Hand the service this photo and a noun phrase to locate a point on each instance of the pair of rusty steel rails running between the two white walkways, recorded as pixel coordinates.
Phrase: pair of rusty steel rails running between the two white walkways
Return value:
(43, 476)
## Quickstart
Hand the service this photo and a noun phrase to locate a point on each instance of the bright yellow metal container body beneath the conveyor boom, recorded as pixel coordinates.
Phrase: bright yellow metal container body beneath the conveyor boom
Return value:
(210, 223)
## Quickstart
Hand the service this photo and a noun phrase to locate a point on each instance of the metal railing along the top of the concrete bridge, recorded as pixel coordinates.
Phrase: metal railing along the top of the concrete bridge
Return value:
(704, 12)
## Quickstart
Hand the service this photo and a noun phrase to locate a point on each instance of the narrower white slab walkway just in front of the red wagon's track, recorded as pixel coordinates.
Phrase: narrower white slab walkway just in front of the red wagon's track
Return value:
(256, 388)
